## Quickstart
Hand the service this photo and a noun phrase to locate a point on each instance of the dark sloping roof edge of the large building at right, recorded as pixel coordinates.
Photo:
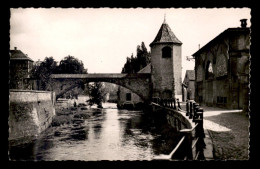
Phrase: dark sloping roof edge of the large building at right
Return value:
(225, 33)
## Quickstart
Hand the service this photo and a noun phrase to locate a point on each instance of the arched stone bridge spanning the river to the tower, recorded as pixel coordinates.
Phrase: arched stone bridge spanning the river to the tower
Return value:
(139, 83)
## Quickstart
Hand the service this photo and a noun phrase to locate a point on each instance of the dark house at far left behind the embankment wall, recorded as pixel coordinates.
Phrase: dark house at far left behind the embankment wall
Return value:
(19, 70)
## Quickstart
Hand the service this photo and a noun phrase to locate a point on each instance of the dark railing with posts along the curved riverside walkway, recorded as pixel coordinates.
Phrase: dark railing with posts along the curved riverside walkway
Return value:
(193, 144)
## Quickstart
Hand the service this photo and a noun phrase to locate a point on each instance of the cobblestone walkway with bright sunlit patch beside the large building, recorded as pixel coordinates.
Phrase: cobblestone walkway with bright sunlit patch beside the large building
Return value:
(229, 130)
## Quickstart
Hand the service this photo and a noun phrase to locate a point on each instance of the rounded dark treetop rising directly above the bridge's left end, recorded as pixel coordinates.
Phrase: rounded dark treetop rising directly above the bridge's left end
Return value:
(70, 65)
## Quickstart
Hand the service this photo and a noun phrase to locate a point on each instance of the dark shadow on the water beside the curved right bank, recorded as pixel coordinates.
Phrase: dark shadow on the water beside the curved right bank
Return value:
(163, 138)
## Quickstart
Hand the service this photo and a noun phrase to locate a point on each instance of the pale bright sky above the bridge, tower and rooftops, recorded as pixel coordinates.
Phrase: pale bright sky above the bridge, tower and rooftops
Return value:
(102, 38)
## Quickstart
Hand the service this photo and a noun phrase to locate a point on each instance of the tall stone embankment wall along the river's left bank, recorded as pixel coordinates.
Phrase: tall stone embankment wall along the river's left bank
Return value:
(30, 113)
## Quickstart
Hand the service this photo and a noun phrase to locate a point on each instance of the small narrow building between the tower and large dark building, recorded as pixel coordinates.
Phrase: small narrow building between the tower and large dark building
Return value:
(189, 85)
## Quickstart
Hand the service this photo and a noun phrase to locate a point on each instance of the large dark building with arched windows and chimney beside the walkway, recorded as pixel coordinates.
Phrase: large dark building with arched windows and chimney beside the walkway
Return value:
(222, 69)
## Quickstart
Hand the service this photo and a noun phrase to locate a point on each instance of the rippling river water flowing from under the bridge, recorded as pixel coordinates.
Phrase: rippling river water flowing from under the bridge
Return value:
(108, 134)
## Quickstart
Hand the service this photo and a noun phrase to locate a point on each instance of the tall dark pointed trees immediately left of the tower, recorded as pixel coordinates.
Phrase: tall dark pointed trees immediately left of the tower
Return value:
(142, 59)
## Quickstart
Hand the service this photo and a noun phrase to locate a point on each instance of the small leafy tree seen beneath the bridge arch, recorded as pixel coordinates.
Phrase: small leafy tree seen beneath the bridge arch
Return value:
(96, 93)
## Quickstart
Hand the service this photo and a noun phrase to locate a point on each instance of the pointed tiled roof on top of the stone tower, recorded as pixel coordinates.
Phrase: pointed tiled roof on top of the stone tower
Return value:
(165, 35)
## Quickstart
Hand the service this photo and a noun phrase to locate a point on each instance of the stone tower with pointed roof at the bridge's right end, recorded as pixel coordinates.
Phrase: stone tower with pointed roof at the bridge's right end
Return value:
(166, 64)
